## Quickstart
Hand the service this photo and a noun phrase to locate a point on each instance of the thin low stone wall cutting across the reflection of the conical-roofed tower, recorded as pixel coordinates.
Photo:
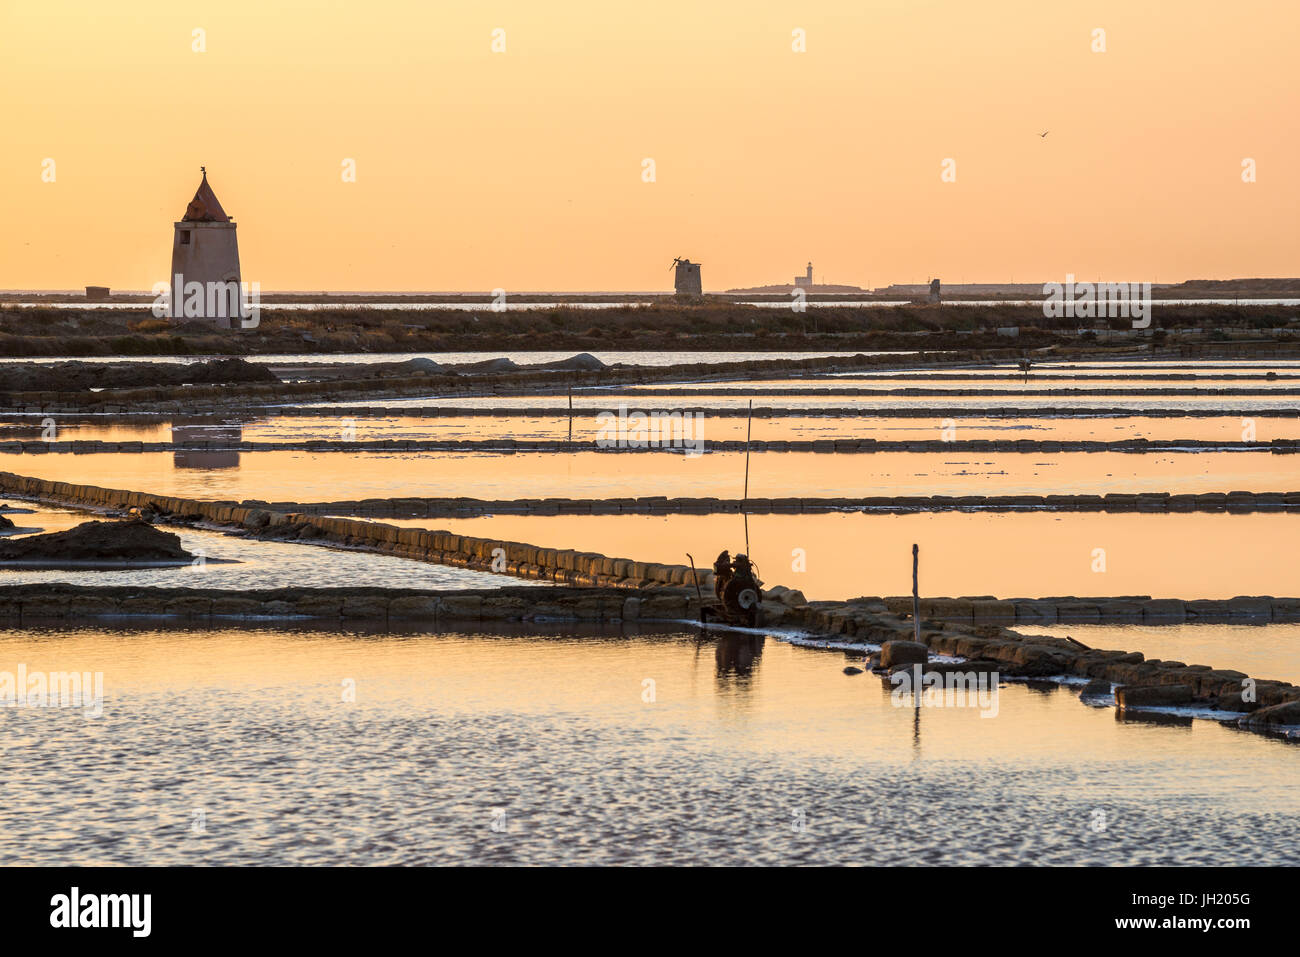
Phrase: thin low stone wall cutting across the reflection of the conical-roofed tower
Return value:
(1289, 447)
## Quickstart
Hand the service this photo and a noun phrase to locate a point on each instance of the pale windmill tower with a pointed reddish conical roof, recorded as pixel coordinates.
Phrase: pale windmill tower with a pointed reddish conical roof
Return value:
(206, 262)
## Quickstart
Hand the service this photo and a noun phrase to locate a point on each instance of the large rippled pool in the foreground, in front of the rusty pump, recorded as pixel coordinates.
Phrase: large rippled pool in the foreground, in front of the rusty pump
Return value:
(239, 747)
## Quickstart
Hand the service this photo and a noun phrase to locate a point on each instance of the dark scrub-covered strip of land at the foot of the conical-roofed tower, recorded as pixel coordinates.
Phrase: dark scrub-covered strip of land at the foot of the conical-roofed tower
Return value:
(670, 327)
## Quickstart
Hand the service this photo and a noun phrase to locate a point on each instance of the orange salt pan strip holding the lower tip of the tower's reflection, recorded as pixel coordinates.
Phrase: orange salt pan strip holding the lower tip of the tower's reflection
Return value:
(302, 477)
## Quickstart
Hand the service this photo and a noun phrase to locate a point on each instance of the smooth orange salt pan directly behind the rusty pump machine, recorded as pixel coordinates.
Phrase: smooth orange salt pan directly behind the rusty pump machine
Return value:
(842, 556)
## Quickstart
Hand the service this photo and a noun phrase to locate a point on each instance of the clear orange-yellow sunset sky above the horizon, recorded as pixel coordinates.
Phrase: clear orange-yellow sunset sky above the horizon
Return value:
(525, 170)
